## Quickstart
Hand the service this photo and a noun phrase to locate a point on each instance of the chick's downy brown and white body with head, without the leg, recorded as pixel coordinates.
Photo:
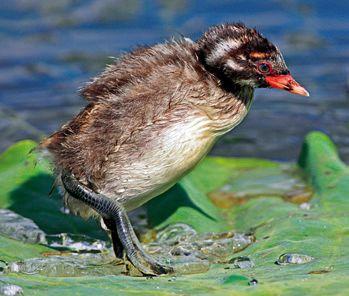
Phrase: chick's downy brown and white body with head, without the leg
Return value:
(157, 111)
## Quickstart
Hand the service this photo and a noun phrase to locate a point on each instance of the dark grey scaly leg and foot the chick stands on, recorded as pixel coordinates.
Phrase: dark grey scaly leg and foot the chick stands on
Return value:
(117, 219)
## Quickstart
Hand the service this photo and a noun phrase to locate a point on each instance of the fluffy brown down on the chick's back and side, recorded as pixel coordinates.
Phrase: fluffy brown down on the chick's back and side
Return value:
(130, 95)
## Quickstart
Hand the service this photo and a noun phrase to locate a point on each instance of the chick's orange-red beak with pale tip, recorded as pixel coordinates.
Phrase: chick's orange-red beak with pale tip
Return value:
(286, 82)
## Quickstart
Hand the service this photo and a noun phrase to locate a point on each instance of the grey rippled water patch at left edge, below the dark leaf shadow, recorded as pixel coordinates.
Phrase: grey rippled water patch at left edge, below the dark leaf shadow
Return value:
(20, 228)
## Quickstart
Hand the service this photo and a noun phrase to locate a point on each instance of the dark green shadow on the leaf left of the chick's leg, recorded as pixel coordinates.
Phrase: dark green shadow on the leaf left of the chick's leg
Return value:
(31, 199)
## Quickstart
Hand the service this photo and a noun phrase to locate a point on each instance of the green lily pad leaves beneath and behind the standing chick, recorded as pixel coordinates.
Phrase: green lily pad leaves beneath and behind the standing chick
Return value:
(281, 226)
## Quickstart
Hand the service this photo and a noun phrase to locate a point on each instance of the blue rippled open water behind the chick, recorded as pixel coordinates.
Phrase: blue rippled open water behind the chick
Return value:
(49, 48)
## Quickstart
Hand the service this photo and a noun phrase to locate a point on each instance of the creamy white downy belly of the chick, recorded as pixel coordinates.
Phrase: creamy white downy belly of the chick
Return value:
(177, 150)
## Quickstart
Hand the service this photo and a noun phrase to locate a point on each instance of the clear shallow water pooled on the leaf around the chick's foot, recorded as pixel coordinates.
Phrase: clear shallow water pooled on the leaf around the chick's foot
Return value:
(177, 245)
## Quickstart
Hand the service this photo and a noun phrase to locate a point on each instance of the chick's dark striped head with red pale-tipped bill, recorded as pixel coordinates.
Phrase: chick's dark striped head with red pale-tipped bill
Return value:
(240, 55)
